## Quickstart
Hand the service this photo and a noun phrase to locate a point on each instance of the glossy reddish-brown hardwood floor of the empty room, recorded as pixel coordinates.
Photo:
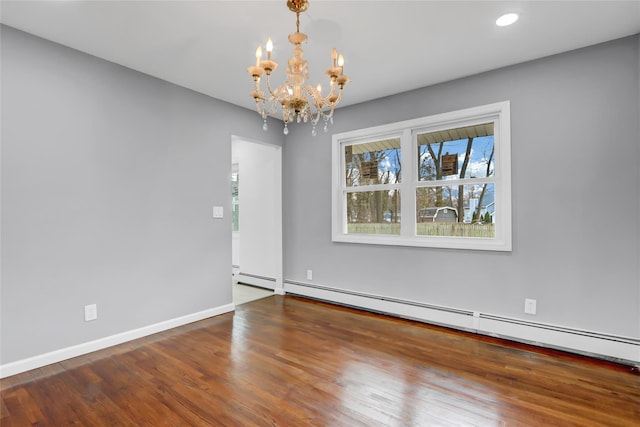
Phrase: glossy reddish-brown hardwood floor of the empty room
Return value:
(287, 361)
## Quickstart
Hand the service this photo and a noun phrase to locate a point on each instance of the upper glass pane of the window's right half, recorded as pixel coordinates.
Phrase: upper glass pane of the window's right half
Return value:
(456, 153)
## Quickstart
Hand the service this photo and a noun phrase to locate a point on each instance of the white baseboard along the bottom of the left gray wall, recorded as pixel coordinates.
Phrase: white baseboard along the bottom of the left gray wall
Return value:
(34, 362)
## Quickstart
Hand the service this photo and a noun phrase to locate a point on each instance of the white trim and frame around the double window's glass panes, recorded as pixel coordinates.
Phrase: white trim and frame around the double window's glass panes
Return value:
(498, 112)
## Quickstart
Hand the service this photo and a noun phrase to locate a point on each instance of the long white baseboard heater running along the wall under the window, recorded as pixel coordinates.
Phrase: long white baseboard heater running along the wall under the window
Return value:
(614, 348)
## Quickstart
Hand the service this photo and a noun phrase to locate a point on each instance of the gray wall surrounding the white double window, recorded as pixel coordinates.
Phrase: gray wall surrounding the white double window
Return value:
(575, 186)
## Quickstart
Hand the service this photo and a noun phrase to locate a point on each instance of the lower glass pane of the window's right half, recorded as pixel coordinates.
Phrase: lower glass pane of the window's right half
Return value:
(441, 212)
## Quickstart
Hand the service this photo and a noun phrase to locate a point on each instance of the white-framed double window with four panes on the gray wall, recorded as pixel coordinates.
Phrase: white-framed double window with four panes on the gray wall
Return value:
(439, 181)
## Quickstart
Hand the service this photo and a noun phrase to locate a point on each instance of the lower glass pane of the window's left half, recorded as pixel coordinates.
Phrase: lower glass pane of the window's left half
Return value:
(373, 212)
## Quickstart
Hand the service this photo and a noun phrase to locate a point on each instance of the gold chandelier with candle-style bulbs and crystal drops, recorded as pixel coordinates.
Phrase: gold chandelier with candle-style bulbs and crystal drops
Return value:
(298, 101)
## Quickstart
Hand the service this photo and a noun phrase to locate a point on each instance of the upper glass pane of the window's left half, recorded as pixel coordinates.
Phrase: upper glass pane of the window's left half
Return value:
(376, 162)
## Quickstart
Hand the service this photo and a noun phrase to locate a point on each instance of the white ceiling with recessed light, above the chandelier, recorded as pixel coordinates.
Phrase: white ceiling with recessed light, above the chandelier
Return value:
(389, 46)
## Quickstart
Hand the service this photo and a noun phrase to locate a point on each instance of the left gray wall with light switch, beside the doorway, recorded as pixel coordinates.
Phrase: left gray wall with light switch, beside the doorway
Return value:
(108, 181)
